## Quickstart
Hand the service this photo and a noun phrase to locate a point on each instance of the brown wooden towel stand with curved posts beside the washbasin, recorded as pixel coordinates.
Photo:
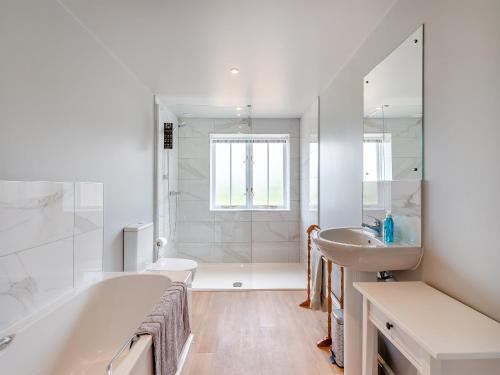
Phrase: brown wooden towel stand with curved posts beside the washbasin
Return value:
(327, 340)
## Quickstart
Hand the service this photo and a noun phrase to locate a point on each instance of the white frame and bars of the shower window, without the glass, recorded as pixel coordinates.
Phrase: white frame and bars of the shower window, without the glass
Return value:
(249, 171)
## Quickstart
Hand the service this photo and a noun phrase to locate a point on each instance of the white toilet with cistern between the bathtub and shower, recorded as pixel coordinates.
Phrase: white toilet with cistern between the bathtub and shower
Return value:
(138, 252)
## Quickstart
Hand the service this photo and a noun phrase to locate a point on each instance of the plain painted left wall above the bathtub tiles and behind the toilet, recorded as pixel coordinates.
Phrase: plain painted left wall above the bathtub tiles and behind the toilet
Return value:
(69, 111)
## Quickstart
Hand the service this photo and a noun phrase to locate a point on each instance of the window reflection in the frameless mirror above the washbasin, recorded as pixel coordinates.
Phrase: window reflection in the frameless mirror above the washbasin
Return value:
(377, 165)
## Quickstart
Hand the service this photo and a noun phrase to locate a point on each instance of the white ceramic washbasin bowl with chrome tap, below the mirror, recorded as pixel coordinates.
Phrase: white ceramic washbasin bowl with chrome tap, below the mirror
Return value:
(360, 250)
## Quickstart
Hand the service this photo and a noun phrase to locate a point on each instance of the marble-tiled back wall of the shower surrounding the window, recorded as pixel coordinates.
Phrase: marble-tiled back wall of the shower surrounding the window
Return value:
(241, 236)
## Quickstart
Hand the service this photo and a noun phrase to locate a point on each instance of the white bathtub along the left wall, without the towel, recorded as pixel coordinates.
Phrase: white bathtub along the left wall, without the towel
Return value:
(80, 333)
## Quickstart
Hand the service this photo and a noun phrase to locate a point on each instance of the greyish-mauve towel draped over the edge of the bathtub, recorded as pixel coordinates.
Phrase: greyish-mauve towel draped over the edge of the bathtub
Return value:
(168, 324)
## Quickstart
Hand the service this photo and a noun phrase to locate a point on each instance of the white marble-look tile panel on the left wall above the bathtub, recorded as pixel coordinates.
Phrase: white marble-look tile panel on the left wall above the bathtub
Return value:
(51, 239)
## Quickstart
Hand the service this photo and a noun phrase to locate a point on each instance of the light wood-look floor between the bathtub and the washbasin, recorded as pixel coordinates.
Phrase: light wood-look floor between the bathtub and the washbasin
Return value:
(257, 333)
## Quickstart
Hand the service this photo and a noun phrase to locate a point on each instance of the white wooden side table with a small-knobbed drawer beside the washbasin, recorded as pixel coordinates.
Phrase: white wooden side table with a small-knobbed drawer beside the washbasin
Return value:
(436, 333)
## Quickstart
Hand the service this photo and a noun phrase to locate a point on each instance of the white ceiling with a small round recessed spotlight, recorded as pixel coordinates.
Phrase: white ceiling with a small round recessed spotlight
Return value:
(287, 51)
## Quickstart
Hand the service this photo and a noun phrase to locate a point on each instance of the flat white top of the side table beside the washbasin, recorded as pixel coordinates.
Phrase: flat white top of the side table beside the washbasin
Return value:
(443, 326)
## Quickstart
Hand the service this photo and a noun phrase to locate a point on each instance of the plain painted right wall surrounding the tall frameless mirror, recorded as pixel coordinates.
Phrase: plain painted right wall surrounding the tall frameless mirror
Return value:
(461, 142)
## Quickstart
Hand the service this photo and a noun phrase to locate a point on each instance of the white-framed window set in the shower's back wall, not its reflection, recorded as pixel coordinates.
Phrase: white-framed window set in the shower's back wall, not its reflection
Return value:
(249, 171)
